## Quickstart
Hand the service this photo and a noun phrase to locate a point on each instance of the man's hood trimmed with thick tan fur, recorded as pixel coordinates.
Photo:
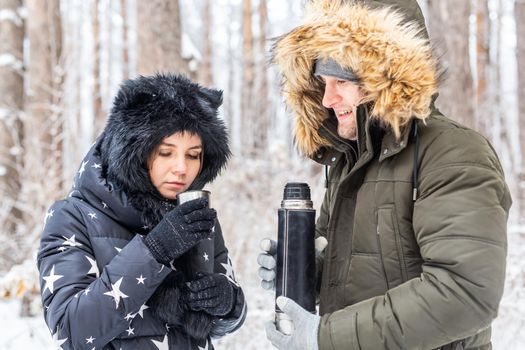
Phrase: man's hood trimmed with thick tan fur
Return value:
(383, 42)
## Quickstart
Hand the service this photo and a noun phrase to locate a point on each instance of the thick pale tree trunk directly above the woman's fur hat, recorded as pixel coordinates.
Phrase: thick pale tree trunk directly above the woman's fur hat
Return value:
(160, 37)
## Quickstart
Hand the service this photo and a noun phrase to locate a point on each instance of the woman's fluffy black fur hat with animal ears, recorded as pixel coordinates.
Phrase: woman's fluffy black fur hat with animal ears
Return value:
(148, 109)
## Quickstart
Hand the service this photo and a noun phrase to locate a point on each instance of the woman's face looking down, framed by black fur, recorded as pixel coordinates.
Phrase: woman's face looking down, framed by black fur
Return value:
(175, 163)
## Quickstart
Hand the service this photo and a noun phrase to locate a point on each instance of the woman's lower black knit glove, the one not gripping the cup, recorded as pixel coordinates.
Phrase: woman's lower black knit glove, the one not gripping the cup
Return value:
(213, 294)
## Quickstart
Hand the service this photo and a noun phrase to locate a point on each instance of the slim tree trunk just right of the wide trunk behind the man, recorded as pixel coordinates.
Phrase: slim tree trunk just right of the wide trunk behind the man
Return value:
(482, 65)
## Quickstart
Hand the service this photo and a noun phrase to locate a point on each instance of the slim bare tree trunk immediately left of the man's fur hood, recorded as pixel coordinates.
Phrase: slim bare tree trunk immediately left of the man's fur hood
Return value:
(262, 120)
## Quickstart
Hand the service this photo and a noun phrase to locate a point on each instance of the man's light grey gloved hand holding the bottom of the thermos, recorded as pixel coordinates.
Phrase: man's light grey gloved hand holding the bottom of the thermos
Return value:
(306, 327)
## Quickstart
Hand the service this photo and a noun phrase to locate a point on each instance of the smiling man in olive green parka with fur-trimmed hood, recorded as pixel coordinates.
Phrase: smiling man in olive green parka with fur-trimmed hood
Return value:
(416, 205)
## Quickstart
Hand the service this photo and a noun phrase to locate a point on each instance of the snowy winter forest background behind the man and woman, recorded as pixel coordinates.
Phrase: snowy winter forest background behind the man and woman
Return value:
(61, 62)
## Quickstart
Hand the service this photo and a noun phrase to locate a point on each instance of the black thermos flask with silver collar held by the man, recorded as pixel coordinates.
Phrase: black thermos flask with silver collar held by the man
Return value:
(295, 252)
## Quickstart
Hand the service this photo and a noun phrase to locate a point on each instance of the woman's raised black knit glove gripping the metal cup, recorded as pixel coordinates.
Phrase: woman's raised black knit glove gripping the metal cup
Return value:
(181, 229)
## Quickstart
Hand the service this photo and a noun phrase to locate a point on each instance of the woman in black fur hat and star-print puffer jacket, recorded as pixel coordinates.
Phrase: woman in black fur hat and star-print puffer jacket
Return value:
(112, 253)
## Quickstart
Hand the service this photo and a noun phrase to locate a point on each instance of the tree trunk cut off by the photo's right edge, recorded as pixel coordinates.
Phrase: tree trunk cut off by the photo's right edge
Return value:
(519, 11)
